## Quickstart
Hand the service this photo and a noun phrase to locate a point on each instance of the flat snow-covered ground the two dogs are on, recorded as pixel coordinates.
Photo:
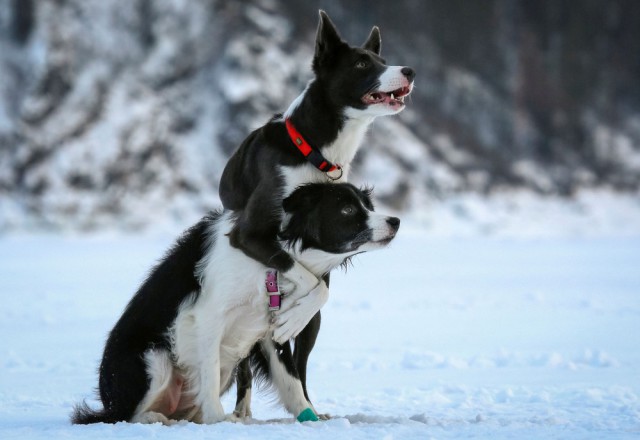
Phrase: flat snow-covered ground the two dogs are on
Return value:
(430, 338)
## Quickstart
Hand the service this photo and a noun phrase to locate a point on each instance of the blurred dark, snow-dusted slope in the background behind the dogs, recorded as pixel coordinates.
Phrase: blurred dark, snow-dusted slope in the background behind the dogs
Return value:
(125, 112)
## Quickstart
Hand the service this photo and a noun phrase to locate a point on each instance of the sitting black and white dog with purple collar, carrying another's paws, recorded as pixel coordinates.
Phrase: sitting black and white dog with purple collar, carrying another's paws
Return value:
(205, 307)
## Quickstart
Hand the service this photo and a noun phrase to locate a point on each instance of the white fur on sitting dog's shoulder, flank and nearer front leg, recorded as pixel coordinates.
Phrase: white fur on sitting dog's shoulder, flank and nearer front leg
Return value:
(211, 335)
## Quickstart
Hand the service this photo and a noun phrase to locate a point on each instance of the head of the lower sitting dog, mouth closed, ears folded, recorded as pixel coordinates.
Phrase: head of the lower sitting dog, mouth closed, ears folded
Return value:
(327, 223)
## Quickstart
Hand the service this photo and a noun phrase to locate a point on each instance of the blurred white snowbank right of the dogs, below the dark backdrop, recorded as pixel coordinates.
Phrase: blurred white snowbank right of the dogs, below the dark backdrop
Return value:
(593, 213)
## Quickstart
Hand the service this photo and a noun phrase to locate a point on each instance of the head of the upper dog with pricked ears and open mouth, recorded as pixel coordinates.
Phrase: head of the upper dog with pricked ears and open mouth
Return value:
(357, 78)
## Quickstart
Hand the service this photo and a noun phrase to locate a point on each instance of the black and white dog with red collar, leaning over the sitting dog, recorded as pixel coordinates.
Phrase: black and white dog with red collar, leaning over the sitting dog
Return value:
(315, 140)
